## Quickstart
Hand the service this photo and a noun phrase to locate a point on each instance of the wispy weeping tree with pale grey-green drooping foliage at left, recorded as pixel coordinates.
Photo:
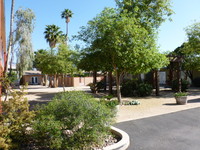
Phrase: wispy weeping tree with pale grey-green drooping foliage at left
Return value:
(25, 19)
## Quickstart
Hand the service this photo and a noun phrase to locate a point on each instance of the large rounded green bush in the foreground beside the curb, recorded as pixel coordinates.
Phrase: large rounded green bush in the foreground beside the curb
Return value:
(73, 120)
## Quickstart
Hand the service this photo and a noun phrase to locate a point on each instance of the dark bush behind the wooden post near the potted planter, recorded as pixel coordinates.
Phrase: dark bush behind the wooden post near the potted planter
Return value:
(184, 85)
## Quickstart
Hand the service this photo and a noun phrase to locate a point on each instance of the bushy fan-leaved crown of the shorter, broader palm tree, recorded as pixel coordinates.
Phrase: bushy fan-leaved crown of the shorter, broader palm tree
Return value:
(52, 35)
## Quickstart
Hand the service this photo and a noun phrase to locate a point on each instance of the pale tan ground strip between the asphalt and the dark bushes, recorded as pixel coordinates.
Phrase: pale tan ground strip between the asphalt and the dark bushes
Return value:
(153, 106)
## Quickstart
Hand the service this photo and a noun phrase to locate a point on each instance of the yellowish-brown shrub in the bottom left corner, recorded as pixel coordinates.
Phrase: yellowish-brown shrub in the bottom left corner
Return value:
(14, 121)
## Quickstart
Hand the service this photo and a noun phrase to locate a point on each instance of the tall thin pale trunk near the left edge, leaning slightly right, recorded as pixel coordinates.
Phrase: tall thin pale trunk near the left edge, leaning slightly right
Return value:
(10, 42)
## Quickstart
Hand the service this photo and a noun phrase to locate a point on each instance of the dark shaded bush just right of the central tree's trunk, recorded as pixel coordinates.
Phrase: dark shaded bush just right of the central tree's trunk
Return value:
(135, 88)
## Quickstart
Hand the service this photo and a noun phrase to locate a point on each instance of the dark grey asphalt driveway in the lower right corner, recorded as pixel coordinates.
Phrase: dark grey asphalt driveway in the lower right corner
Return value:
(174, 131)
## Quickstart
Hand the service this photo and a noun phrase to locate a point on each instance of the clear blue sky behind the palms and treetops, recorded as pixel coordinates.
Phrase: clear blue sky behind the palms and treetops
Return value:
(171, 34)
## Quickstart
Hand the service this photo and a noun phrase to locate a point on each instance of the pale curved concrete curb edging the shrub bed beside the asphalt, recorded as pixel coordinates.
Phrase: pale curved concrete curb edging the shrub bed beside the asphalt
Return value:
(123, 144)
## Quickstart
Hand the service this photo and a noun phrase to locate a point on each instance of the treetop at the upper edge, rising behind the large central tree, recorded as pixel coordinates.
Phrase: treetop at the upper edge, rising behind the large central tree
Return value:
(149, 13)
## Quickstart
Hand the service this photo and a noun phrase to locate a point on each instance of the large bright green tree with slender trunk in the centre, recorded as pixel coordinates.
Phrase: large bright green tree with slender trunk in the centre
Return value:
(121, 37)
